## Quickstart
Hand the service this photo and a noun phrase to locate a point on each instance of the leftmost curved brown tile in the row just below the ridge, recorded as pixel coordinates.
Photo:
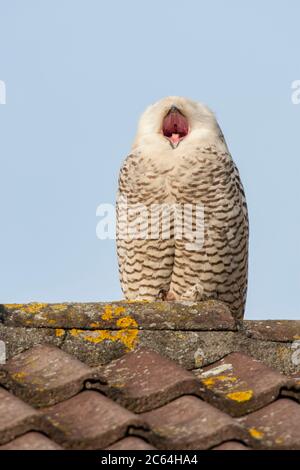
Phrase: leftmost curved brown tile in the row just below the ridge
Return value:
(45, 375)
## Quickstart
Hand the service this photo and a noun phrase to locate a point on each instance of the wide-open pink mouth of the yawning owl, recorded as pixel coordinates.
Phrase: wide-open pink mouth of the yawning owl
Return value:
(175, 126)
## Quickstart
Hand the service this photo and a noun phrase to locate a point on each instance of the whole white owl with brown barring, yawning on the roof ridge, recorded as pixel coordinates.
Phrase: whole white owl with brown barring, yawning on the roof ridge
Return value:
(188, 167)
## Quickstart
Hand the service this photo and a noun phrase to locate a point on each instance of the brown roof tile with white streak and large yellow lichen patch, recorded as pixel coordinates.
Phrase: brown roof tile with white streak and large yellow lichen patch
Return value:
(239, 384)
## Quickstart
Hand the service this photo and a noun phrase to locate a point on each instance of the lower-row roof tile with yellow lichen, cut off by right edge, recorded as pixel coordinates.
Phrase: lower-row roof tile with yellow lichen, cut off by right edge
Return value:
(275, 426)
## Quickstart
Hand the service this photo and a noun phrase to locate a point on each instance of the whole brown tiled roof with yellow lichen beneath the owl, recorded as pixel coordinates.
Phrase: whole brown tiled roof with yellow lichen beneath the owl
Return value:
(144, 376)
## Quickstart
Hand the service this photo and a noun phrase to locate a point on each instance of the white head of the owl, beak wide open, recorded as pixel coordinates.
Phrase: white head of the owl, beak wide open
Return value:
(176, 122)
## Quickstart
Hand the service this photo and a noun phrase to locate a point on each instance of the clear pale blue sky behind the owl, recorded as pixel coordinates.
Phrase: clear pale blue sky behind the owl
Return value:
(79, 73)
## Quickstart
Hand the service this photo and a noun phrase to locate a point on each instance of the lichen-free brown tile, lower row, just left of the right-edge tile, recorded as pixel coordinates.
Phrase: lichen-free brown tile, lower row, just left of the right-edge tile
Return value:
(189, 423)
